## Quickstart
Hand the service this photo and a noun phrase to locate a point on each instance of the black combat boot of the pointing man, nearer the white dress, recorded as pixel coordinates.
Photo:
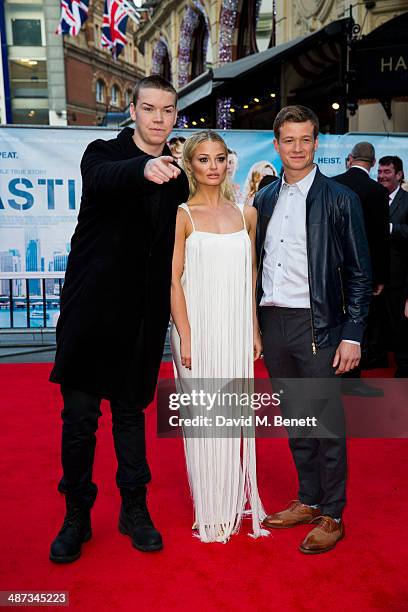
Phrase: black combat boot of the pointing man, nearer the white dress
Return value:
(135, 521)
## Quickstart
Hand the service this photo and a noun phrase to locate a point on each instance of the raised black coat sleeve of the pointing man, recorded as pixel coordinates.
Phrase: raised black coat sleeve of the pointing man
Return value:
(105, 175)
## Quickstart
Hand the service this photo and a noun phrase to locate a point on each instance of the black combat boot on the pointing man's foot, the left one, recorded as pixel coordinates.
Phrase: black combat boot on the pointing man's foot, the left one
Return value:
(75, 530)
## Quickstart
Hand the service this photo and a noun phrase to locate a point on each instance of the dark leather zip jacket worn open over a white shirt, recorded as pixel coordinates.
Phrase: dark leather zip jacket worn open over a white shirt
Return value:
(339, 265)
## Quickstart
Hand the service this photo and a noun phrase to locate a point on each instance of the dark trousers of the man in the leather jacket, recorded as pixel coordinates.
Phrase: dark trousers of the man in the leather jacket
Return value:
(320, 462)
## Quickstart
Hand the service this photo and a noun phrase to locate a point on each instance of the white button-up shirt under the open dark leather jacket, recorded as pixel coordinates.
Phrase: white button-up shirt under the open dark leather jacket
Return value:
(285, 280)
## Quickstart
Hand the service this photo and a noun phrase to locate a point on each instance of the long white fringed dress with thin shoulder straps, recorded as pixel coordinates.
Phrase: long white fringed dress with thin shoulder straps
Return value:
(217, 284)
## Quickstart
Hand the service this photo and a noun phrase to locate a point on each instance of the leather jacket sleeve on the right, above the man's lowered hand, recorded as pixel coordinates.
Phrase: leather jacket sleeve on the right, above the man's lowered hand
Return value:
(357, 269)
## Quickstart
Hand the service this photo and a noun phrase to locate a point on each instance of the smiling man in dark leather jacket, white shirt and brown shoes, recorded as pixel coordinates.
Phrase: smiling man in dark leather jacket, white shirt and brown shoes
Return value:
(313, 294)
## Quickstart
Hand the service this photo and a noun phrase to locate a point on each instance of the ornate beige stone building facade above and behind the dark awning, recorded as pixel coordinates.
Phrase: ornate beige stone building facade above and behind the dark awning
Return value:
(183, 38)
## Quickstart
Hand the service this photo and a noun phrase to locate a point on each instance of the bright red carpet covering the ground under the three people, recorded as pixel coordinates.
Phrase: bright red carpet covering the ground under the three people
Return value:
(367, 571)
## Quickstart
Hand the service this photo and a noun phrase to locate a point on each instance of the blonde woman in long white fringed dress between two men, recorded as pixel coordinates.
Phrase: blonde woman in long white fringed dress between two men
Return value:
(215, 334)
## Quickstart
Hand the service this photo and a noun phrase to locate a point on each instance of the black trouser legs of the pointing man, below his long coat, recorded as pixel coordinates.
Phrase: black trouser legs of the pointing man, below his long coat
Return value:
(80, 422)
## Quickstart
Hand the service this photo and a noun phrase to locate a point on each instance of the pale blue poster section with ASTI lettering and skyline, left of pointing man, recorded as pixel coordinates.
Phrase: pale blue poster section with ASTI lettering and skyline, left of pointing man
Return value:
(40, 190)
